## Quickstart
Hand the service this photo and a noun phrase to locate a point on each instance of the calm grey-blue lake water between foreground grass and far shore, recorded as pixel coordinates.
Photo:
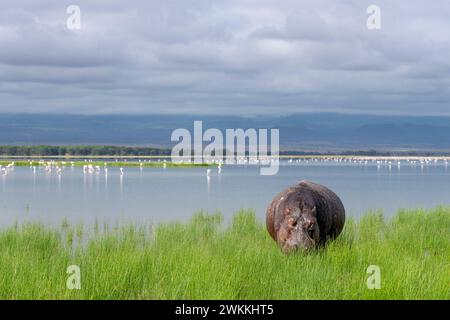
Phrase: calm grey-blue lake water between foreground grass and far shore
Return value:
(157, 194)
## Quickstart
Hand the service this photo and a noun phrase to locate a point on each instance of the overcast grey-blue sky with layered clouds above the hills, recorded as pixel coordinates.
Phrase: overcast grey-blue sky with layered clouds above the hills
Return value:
(225, 57)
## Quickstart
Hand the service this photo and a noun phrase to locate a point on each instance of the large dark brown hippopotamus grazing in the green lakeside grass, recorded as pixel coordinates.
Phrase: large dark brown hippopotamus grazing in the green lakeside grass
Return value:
(305, 216)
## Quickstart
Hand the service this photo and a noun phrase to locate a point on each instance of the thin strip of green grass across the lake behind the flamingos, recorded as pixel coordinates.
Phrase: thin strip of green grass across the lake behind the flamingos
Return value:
(152, 164)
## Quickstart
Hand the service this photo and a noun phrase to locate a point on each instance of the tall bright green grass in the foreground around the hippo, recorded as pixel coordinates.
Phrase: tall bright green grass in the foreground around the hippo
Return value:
(208, 259)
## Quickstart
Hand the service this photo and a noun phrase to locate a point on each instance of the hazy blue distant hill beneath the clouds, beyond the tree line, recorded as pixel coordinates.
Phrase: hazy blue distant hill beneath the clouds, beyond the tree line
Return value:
(314, 131)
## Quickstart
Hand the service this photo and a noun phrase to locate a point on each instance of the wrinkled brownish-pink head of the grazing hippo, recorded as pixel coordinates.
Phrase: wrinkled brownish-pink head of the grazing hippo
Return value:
(299, 229)
